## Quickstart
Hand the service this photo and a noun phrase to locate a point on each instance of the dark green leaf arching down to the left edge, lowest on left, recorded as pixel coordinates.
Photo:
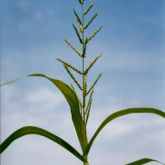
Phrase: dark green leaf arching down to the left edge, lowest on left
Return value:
(35, 130)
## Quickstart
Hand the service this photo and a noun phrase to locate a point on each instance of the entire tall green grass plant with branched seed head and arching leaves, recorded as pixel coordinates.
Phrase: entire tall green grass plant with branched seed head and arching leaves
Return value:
(80, 107)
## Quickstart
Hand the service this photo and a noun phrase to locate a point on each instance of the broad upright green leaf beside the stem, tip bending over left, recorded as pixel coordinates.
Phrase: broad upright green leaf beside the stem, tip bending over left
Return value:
(73, 102)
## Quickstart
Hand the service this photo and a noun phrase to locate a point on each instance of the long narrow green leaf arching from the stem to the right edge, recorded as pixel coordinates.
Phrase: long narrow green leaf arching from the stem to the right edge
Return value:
(119, 114)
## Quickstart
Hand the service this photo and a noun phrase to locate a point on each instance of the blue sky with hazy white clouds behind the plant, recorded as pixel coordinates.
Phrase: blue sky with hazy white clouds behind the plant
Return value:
(132, 46)
